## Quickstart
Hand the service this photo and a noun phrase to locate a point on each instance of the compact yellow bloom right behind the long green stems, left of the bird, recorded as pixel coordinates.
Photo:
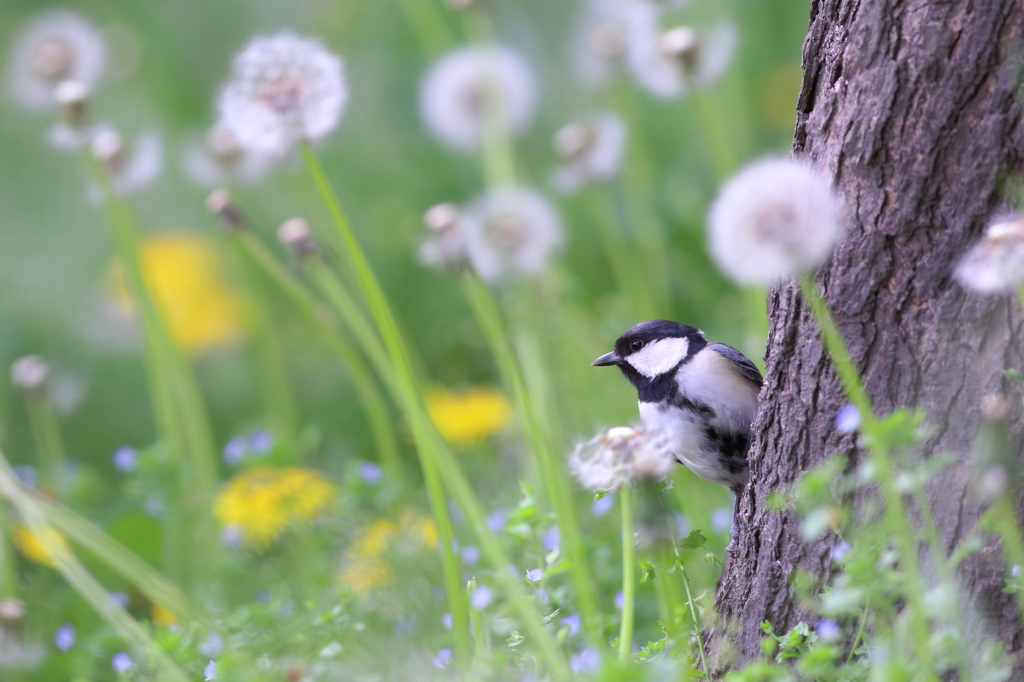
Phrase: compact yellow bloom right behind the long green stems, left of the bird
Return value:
(467, 417)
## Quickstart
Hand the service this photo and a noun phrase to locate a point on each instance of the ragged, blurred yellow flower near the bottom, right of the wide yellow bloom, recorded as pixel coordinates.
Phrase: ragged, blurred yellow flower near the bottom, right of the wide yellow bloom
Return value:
(366, 565)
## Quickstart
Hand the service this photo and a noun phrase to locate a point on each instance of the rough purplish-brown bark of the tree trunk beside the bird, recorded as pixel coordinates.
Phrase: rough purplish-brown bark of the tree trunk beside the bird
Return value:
(913, 106)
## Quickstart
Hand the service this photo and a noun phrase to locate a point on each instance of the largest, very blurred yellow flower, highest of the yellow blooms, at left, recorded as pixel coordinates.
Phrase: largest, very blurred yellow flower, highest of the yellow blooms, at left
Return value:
(185, 277)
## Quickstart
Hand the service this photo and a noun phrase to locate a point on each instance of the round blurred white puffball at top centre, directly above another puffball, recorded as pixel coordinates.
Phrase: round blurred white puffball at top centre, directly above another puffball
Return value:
(473, 87)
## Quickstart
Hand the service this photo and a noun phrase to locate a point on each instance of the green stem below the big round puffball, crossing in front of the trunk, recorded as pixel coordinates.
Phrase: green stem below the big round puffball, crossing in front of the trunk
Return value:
(897, 521)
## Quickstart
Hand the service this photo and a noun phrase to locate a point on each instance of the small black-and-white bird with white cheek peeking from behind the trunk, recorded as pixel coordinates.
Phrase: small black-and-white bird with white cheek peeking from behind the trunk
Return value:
(701, 397)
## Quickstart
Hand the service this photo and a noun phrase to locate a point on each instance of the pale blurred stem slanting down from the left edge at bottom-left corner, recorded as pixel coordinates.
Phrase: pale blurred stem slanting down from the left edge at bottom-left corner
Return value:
(83, 582)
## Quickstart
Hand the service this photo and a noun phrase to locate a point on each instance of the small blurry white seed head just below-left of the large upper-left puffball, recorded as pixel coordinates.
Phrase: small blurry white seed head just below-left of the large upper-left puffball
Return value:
(218, 159)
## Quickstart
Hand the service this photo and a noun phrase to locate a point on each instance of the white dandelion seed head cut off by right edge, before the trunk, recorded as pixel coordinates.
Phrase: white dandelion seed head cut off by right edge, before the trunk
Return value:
(996, 265)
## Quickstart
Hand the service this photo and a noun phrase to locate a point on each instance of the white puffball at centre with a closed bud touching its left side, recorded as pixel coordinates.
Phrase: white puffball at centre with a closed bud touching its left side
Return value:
(509, 232)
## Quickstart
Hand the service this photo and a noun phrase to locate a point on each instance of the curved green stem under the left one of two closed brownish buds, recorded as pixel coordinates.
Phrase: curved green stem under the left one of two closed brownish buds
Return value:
(373, 402)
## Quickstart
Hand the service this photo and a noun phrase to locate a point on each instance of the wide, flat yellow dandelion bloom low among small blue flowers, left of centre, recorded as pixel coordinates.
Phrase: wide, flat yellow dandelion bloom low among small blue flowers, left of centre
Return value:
(263, 503)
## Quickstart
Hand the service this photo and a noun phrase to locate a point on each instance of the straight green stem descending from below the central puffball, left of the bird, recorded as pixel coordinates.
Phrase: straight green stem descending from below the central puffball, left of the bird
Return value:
(553, 479)
